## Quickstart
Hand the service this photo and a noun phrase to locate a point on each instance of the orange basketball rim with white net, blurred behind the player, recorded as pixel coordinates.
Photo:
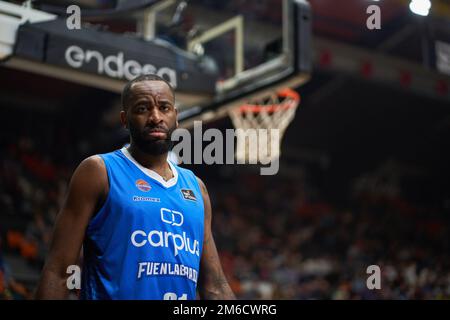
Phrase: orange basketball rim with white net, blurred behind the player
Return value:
(270, 116)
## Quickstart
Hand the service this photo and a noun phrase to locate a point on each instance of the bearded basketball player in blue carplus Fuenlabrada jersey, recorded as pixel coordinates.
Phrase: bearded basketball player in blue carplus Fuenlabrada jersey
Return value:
(144, 222)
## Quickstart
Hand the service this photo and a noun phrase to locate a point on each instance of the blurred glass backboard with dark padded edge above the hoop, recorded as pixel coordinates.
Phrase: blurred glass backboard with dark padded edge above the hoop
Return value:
(259, 46)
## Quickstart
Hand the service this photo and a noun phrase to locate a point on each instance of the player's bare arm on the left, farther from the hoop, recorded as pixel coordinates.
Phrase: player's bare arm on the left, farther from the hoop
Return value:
(87, 190)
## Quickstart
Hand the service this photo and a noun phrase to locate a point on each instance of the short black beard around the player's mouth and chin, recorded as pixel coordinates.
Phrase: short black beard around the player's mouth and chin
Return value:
(153, 147)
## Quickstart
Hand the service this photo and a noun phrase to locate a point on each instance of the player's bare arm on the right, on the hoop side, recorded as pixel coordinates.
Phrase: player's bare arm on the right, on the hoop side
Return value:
(212, 284)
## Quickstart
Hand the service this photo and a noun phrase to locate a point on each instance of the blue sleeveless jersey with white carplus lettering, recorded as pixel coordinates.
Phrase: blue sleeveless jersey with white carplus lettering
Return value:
(146, 241)
